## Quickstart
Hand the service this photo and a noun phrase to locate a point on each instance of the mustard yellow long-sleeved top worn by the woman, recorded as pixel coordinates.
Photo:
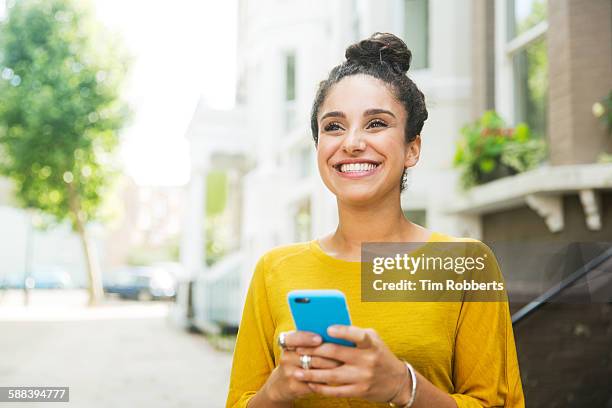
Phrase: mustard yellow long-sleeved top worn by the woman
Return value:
(464, 348)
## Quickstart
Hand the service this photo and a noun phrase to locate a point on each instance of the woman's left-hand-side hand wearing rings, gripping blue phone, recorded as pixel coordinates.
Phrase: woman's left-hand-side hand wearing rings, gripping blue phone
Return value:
(284, 385)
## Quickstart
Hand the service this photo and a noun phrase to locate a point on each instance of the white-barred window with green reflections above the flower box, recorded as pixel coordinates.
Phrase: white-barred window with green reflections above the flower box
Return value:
(526, 46)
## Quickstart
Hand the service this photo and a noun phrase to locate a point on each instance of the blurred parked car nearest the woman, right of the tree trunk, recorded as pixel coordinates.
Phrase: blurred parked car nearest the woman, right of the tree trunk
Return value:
(141, 283)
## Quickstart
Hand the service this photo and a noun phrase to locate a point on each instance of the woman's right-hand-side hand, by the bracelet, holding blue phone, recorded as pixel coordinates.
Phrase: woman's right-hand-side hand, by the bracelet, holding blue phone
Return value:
(369, 371)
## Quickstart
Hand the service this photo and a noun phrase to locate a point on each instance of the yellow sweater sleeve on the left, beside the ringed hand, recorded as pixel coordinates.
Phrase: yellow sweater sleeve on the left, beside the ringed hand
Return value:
(253, 355)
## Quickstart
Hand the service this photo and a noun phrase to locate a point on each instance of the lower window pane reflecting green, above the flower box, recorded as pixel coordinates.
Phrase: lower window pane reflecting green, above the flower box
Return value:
(531, 73)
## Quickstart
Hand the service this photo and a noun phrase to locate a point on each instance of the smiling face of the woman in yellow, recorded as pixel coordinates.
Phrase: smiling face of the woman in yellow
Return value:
(362, 152)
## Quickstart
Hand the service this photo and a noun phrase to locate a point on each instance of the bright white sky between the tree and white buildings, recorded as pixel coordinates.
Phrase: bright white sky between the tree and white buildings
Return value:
(182, 50)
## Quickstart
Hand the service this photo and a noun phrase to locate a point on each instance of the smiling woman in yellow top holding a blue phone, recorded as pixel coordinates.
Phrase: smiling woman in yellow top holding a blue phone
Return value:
(366, 123)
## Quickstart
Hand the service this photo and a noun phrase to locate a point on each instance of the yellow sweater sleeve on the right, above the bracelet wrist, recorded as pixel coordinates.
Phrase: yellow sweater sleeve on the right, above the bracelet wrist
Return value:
(485, 365)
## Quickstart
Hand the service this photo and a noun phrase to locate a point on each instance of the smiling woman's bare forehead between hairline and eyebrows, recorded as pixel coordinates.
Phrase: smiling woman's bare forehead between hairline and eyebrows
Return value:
(357, 93)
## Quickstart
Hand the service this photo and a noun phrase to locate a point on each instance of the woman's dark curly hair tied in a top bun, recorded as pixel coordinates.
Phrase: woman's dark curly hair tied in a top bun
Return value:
(386, 57)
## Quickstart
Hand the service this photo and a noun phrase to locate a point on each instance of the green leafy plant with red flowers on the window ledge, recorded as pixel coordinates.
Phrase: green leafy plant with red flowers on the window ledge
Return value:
(488, 150)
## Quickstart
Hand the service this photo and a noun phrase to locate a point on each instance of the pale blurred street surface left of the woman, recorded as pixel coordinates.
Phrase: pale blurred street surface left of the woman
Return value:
(120, 354)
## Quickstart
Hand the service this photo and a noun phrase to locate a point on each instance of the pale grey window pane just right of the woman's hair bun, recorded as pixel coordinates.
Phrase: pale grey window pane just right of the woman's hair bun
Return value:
(416, 31)
